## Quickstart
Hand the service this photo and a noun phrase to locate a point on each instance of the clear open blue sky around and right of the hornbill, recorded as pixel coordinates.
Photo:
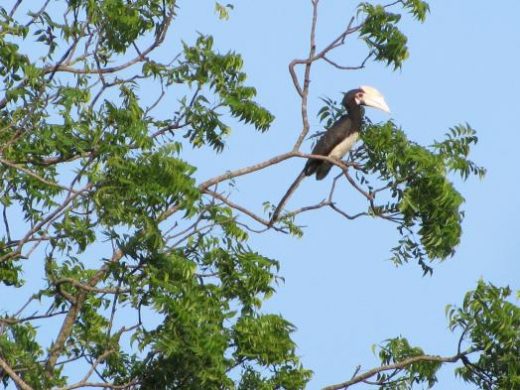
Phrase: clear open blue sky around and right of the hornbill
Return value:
(340, 290)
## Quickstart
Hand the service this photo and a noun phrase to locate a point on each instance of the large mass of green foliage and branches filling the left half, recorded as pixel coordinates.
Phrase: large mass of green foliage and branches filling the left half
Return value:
(88, 161)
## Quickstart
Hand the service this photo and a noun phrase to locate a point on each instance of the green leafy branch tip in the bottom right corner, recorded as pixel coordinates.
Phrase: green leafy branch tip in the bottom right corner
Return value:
(489, 326)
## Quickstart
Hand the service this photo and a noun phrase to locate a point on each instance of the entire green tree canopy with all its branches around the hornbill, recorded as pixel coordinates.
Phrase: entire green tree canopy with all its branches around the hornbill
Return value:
(147, 275)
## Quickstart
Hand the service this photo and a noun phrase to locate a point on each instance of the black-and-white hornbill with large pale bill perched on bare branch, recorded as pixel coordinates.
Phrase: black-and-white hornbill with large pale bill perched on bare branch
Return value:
(338, 139)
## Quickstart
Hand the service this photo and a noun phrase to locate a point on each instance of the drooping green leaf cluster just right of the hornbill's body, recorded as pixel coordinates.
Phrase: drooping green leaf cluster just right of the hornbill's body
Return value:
(422, 195)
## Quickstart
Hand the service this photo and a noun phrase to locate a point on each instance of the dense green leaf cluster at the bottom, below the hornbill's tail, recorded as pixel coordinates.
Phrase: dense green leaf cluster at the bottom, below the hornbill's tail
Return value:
(209, 293)
